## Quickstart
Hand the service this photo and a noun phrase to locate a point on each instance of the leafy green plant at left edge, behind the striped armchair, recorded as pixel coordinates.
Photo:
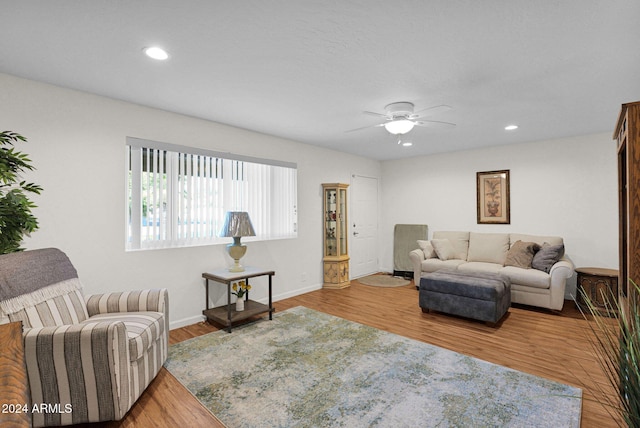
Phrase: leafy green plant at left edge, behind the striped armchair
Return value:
(16, 218)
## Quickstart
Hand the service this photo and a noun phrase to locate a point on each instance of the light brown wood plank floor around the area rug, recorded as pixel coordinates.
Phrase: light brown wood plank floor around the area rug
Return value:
(553, 345)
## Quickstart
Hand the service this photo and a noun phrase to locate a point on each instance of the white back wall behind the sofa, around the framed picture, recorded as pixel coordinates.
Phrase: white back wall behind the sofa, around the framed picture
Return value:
(565, 187)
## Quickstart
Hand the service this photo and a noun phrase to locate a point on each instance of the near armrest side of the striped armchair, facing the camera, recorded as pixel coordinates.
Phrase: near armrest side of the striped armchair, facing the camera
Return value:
(83, 368)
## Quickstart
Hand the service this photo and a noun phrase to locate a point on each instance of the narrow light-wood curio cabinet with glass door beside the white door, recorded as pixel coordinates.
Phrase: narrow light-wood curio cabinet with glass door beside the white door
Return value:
(336, 254)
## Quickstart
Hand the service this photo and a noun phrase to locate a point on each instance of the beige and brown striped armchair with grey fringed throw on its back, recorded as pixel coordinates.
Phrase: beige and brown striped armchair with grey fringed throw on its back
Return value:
(88, 358)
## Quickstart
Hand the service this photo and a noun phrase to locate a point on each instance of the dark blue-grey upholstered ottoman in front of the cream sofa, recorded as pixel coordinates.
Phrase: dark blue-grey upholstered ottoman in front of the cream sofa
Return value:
(479, 295)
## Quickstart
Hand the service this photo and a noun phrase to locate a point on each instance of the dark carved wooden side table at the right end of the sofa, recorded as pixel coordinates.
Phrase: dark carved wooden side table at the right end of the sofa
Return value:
(599, 284)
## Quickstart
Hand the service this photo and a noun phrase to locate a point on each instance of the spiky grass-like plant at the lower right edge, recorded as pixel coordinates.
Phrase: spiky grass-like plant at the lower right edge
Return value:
(616, 342)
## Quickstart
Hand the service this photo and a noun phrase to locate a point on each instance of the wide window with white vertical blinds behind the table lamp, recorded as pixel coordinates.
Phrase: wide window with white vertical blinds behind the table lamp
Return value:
(178, 196)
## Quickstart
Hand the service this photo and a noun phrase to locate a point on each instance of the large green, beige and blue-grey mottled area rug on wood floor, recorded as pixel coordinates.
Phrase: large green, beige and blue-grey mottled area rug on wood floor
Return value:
(309, 369)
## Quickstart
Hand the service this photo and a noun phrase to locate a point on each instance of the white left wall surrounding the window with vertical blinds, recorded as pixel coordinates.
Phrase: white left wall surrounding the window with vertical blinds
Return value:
(76, 141)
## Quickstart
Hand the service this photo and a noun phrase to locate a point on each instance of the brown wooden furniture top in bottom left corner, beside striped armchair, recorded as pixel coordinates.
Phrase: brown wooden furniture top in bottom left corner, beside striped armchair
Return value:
(14, 387)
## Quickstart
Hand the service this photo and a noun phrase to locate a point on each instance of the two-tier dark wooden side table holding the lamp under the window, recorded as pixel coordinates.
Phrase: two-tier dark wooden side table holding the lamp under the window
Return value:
(226, 315)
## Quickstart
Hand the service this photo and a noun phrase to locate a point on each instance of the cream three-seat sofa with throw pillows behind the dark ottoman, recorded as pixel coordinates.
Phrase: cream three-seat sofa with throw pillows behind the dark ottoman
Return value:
(543, 286)
